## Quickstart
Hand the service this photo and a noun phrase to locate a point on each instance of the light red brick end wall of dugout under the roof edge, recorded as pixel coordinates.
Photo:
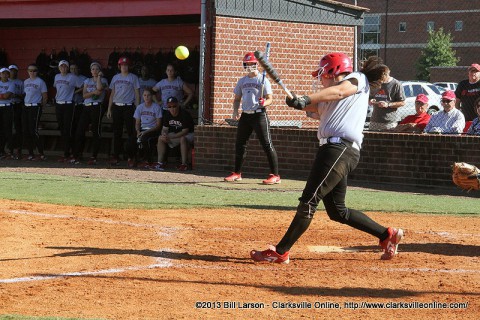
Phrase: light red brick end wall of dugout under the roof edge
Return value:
(296, 49)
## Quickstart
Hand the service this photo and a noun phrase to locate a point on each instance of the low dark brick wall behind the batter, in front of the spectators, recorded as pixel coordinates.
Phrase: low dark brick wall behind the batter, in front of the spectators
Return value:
(407, 159)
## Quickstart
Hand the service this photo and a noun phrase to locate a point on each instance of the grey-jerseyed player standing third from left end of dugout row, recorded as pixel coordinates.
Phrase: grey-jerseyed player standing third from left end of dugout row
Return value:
(35, 99)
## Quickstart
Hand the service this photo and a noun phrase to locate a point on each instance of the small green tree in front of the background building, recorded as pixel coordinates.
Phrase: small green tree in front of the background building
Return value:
(438, 52)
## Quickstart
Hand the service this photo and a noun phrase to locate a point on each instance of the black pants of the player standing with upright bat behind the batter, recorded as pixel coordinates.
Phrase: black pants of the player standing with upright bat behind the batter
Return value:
(259, 123)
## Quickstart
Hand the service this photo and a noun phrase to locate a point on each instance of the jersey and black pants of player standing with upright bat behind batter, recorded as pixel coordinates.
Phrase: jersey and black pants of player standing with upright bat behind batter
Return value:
(254, 118)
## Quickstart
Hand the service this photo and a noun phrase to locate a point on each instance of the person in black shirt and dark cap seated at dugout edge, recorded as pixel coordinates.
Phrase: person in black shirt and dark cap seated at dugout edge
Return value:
(177, 131)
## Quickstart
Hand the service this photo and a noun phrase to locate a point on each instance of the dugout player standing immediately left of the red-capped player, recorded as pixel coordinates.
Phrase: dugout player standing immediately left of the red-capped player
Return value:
(94, 94)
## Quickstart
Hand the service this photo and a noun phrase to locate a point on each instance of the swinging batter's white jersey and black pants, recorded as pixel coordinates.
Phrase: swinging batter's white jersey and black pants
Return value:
(340, 138)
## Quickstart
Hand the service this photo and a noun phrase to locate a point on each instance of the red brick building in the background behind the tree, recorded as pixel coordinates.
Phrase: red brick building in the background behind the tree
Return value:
(397, 30)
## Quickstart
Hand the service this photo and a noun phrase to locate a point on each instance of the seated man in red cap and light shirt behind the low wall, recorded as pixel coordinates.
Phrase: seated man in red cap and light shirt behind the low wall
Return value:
(448, 121)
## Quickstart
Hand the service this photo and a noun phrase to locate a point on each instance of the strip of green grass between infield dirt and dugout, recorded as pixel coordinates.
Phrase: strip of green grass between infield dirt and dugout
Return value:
(80, 191)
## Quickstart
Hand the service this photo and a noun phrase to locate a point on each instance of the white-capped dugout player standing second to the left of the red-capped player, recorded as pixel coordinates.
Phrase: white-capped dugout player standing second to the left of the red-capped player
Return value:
(66, 83)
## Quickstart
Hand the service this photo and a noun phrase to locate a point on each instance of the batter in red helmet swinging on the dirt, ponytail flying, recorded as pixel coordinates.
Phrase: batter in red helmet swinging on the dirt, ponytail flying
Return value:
(342, 109)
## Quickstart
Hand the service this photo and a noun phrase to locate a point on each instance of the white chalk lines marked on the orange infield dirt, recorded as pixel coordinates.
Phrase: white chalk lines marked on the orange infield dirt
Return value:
(168, 263)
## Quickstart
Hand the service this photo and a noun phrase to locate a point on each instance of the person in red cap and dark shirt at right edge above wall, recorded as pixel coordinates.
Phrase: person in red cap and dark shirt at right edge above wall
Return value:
(468, 91)
